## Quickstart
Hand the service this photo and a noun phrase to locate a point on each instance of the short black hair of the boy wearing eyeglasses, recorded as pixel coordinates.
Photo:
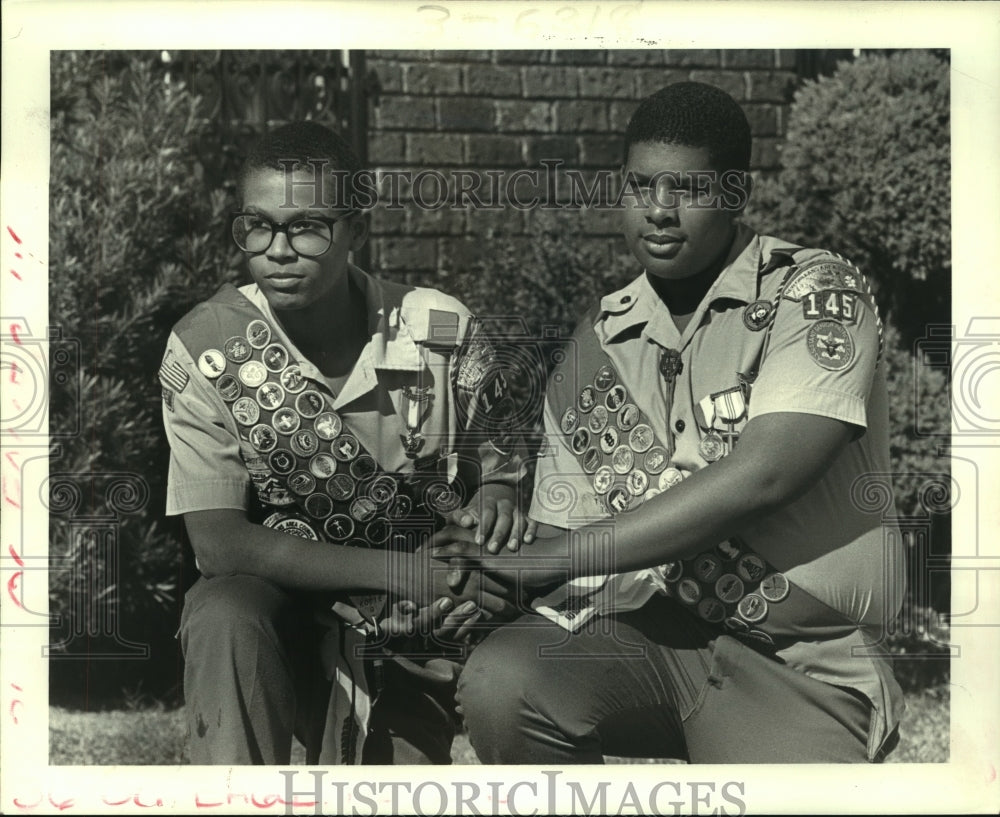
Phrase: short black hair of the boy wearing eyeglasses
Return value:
(303, 144)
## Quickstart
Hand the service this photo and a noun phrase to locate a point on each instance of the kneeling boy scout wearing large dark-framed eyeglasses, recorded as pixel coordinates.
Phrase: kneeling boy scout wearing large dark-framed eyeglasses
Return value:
(322, 424)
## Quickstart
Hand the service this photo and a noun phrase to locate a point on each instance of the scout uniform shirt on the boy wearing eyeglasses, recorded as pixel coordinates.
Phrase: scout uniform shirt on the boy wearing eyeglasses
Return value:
(413, 403)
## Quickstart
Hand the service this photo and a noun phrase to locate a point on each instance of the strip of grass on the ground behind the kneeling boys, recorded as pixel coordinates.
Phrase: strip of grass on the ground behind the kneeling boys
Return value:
(157, 737)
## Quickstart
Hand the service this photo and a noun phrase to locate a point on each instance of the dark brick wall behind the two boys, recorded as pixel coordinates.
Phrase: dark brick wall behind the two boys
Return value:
(505, 110)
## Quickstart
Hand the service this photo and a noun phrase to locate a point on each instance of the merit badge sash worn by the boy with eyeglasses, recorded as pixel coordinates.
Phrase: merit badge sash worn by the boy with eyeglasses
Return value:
(313, 478)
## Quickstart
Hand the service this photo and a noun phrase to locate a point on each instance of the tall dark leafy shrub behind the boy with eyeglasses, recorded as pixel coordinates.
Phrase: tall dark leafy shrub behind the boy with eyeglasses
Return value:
(136, 239)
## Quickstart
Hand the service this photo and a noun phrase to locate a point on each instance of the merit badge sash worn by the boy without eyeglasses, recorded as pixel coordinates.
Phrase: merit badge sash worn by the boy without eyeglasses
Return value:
(627, 462)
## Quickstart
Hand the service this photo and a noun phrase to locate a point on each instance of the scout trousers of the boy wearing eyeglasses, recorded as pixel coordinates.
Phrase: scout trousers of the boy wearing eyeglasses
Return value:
(253, 678)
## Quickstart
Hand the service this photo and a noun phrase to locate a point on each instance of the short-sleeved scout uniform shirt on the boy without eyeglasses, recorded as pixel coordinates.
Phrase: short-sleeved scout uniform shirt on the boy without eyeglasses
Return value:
(782, 329)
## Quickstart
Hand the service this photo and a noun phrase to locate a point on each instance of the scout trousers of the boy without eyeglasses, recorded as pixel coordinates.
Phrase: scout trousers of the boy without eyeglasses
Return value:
(654, 682)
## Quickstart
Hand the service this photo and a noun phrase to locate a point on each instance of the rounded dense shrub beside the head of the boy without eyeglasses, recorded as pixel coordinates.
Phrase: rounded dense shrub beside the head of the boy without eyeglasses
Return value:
(866, 173)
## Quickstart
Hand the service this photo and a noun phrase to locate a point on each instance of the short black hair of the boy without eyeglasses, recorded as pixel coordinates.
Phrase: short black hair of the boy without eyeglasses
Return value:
(697, 115)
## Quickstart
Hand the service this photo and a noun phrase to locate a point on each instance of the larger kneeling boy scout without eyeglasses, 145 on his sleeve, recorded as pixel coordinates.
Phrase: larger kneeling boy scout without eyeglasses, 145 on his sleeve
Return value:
(714, 421)
